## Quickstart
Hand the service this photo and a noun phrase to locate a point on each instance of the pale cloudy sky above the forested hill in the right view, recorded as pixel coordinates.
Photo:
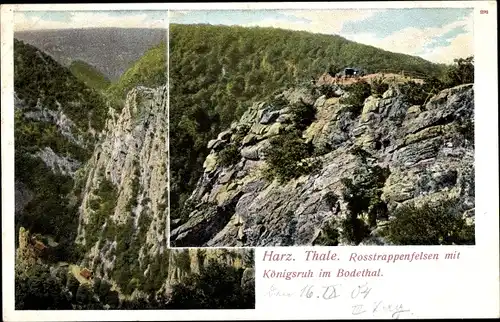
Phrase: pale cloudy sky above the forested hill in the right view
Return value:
(439, 35)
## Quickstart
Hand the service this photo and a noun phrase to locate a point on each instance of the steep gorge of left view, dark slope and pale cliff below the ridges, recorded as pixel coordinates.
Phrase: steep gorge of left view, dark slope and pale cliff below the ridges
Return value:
(91, 191)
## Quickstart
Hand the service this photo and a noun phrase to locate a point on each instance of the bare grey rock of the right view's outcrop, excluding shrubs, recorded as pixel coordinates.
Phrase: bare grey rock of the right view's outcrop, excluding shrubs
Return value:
(425, 152)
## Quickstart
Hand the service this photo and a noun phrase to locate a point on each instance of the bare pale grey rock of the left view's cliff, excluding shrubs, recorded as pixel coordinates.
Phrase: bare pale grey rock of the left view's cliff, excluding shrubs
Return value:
(132, 152)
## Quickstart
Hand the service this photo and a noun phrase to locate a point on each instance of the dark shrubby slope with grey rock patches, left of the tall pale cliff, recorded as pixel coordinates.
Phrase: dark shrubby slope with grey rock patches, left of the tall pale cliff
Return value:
(57, 119)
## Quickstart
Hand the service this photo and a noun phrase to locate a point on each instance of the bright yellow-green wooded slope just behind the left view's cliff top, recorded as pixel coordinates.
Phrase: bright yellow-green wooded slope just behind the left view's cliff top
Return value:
(150, 71)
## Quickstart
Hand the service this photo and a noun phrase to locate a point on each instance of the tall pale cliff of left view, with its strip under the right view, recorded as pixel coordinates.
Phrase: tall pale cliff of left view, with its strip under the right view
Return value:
(123, 216)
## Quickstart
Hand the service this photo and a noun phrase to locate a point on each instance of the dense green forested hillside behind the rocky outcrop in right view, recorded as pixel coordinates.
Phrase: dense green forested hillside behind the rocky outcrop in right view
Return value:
(217, 72)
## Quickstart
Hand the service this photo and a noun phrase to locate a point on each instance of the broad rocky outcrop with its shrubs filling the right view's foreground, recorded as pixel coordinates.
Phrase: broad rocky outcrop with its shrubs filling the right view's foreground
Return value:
(335, 168)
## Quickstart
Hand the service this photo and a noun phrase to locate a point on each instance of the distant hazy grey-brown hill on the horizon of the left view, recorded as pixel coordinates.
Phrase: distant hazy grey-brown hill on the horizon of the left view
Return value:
(110, 50)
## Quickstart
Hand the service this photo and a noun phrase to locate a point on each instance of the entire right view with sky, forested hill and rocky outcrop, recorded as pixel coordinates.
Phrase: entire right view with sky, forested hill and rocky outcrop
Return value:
(357, 129)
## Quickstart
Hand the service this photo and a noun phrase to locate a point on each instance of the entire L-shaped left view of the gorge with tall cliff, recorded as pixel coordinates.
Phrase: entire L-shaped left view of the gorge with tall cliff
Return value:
(92, 171)
